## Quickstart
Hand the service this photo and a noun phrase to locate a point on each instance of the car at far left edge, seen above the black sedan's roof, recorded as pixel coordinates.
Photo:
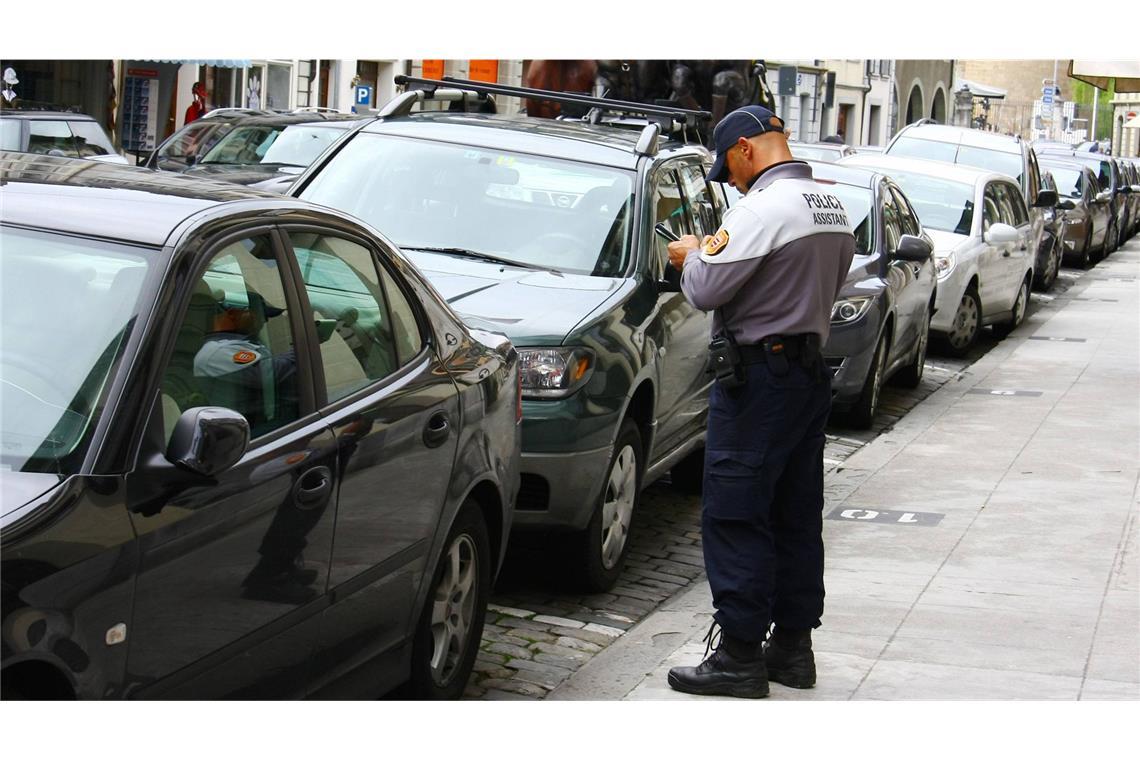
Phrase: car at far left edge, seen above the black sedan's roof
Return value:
(56, 134)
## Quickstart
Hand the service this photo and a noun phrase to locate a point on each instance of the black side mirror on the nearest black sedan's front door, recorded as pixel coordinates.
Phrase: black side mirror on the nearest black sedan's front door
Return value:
(209, 440)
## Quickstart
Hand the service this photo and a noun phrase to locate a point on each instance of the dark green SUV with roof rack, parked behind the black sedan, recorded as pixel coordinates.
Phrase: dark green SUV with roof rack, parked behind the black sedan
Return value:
(545, 230)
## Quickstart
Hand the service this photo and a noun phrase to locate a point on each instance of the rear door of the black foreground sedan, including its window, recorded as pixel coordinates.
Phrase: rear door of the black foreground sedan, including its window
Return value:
(396, 416)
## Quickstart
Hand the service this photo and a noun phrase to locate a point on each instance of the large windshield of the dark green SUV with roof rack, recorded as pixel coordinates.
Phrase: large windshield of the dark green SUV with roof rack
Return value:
(534, 210)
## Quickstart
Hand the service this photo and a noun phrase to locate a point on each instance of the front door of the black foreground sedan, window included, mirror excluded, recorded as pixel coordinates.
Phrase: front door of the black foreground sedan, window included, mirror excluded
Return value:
(233, 574)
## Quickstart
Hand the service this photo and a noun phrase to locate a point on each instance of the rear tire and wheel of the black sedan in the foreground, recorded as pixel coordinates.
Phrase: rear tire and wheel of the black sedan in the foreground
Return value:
(452, 624)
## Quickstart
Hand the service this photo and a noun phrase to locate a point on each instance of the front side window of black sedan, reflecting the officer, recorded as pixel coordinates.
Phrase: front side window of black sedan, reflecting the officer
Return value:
(235, 347)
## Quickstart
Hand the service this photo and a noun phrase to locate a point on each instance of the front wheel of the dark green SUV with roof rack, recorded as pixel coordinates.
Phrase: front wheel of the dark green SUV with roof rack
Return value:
(599, 553)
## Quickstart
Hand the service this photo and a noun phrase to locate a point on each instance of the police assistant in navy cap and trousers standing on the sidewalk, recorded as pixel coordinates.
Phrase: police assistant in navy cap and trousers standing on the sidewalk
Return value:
(772, 274)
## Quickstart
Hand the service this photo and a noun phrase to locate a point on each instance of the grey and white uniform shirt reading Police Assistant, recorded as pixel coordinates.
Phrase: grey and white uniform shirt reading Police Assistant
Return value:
(778, 261)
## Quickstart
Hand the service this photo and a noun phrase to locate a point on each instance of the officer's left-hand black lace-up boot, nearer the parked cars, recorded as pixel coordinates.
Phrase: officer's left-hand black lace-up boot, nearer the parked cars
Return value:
(736, 668)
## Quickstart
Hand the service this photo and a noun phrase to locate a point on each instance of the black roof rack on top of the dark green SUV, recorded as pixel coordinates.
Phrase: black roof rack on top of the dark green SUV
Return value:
(602, 111)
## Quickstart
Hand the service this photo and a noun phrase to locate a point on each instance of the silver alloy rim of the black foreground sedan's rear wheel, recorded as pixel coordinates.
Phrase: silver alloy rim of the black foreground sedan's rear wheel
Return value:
(454, 609)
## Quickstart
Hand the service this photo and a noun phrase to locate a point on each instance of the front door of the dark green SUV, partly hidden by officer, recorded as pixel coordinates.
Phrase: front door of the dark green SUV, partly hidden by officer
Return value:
(675, 332)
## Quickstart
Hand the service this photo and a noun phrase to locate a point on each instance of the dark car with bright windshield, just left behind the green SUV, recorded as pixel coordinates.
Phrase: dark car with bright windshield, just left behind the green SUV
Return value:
(270, 153)
